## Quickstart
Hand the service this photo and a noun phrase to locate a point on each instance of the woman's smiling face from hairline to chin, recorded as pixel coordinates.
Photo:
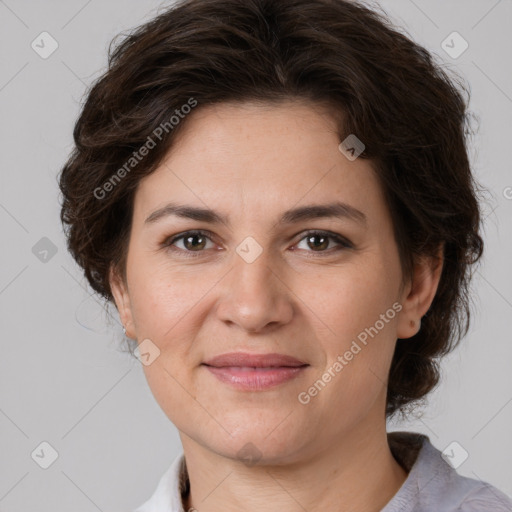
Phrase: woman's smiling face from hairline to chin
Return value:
(259, 281)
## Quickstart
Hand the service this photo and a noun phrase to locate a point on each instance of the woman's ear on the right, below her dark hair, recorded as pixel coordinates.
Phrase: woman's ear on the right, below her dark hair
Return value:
(418, 294)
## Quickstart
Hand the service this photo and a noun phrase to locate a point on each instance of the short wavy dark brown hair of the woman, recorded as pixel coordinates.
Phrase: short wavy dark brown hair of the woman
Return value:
(410, 114)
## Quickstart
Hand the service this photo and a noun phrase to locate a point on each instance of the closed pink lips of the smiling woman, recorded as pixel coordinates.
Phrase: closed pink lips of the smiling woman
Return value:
(254, 372)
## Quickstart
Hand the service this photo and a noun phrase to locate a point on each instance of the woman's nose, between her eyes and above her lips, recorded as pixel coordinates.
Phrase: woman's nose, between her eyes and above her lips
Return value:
(256, 296)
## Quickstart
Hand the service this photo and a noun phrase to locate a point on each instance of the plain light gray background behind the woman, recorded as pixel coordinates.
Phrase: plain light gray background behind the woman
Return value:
(64, 380)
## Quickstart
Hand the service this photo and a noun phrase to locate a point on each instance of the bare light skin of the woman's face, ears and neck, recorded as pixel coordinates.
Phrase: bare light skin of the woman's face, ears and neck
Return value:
(251, 162)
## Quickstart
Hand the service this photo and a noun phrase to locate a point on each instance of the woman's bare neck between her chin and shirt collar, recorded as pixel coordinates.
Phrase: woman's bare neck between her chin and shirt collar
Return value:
(358, 473)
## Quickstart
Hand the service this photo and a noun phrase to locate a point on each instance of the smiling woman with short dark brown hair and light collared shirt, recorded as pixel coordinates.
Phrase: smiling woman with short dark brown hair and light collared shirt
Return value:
(277, 197)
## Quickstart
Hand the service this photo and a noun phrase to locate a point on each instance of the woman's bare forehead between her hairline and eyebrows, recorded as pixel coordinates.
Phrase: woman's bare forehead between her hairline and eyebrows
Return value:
(258, 158)
